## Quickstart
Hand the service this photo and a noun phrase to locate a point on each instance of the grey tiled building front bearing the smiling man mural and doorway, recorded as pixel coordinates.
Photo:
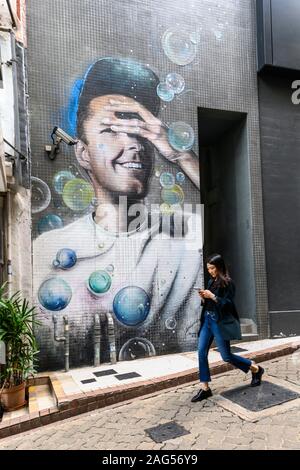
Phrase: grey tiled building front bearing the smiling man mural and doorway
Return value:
(160, 103)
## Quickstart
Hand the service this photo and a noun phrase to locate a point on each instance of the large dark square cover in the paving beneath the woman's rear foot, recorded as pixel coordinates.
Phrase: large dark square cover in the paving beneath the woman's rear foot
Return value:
(259, 398)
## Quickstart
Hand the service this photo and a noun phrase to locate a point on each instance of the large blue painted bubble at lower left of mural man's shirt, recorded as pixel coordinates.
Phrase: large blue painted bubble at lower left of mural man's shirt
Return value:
(55, 294)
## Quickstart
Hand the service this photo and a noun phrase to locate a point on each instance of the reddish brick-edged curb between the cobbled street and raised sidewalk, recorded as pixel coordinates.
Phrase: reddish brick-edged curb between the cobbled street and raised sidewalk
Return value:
(72, 405)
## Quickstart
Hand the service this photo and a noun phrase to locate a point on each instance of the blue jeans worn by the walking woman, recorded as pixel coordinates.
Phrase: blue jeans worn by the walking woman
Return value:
(210, 330)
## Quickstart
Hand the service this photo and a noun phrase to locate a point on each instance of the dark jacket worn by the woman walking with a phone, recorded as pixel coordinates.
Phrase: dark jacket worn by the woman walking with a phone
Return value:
(228, 318)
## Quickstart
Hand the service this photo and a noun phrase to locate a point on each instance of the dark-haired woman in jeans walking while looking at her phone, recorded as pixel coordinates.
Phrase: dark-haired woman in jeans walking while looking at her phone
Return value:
(220, 321)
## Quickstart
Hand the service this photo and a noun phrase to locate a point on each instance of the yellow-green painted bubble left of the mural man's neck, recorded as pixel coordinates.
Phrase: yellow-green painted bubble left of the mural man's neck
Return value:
(78, 194)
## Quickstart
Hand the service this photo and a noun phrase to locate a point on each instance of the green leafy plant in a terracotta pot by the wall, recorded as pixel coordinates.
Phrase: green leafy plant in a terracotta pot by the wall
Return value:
(17, 320)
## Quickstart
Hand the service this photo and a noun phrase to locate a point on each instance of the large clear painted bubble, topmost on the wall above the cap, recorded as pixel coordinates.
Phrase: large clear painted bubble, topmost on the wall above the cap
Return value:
(178, 46)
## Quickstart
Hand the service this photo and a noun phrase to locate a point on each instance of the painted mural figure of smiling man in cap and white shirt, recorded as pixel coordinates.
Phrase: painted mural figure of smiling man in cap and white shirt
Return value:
(122, 258)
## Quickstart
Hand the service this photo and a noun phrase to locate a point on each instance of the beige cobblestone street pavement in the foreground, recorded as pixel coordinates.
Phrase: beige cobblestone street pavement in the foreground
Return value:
(210, 426)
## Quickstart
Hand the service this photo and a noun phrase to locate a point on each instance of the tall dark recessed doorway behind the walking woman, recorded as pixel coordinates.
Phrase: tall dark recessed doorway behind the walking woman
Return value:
(225, 193)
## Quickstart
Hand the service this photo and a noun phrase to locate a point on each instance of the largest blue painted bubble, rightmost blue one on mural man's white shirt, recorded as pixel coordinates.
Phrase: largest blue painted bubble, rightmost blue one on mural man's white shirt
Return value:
(131, 305)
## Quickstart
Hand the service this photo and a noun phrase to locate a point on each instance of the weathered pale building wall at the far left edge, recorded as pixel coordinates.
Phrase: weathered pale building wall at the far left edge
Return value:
(15, 215)
